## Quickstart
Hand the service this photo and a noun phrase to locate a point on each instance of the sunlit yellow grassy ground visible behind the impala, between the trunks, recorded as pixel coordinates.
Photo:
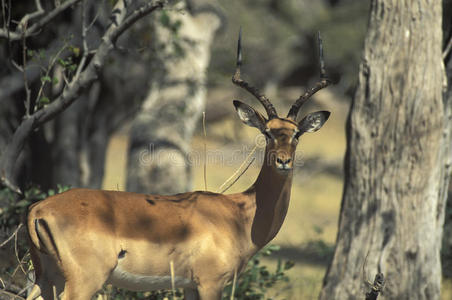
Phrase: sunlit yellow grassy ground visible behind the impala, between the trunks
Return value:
(309, 232)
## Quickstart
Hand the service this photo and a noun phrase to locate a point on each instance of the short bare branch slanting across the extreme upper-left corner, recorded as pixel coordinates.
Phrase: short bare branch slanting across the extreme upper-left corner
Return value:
(36, 27)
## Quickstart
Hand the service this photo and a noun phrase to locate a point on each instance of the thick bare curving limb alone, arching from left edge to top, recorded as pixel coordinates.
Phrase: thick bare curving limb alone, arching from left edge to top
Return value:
(71, 92)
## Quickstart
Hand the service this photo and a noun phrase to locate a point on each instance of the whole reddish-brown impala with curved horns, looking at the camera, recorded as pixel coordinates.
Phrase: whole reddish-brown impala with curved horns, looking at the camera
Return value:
(82, 239)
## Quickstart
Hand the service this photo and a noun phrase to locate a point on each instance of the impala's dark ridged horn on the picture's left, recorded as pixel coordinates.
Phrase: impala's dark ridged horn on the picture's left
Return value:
(271, 111)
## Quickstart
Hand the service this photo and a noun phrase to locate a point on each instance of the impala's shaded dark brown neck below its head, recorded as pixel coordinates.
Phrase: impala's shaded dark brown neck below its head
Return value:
(271, 193)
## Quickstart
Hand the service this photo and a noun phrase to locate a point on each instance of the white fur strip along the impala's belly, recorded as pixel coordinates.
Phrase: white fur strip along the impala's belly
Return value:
(138, 282)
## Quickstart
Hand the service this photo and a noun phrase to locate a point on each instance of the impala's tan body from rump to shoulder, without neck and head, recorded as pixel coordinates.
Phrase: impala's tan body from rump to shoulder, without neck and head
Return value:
(129, 239)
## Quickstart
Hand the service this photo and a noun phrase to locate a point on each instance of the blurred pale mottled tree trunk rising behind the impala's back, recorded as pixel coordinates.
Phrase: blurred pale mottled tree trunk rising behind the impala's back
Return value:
(161, 133)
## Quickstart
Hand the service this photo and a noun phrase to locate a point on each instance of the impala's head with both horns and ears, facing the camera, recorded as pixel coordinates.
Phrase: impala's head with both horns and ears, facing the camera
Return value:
(282, 134)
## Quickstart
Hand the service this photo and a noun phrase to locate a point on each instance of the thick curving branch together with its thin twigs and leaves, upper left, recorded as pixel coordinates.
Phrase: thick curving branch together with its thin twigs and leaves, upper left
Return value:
(84, 73)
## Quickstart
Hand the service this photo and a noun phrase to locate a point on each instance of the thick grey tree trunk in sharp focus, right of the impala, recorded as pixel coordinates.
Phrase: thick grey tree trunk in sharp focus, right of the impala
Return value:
(397, 163)
